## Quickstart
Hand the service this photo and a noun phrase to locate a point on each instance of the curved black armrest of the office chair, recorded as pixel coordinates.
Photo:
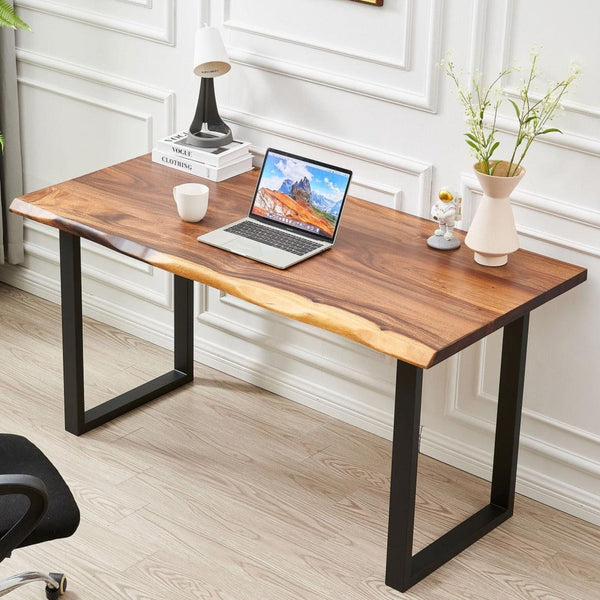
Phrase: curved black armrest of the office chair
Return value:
(35, 490)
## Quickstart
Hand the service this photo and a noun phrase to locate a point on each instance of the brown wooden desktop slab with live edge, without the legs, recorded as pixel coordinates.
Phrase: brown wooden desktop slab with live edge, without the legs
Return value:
(380, 285)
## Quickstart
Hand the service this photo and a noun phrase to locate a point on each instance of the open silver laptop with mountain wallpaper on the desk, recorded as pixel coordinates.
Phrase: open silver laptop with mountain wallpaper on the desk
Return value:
(295, 212)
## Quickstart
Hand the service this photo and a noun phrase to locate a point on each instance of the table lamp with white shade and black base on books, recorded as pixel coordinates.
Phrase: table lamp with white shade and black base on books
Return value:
(210, 60)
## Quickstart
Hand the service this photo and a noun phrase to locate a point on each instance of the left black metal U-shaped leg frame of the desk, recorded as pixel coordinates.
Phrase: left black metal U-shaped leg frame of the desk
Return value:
(77, 419)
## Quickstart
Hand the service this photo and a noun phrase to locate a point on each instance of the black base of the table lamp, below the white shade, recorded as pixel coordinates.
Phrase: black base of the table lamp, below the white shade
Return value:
(208, 129)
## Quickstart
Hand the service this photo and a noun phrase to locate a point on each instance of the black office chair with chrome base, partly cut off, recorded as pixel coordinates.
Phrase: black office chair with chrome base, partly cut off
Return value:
(35, 506)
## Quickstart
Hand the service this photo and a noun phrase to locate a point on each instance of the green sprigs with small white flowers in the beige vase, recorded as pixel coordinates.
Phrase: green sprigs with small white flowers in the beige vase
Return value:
(533, 113)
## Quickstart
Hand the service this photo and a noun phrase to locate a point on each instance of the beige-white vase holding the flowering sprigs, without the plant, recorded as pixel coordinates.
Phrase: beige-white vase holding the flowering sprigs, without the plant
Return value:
(492, 234)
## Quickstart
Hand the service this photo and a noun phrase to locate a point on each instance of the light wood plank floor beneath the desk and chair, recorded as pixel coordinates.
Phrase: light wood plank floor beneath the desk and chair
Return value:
(224, 491)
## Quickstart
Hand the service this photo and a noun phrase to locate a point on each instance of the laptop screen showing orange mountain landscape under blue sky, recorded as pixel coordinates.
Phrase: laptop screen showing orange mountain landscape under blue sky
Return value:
(301, 194)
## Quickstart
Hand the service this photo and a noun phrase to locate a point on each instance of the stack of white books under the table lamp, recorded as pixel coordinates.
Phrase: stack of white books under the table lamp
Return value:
(215, 164)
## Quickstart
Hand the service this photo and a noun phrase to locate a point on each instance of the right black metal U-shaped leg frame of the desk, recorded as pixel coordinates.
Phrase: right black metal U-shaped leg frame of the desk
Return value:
(403, 569)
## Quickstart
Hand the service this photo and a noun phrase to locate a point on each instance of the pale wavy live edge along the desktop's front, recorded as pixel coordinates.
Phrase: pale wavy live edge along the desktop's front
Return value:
(283, 302)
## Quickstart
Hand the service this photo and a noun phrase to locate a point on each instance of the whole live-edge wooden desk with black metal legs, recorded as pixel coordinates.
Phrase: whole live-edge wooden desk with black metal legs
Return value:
(380, 286)
